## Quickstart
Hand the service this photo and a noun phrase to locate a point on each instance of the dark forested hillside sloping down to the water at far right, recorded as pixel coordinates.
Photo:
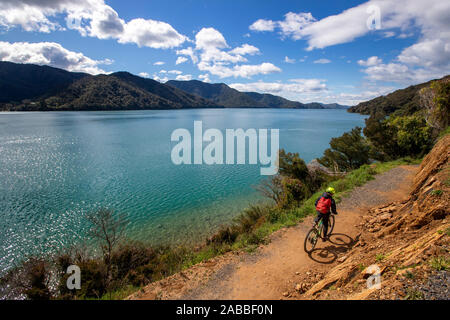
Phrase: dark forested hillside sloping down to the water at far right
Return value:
(403, 102)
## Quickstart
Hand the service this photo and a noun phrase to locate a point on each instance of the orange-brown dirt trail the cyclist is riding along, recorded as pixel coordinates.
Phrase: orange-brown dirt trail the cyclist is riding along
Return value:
(271, 272)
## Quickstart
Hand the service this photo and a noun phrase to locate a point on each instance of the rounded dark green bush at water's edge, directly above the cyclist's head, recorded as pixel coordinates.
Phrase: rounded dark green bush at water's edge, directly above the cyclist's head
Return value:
(348, 152)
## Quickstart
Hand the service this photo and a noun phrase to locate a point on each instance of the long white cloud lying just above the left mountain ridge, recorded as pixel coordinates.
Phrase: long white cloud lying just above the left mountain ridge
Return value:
(49, 53)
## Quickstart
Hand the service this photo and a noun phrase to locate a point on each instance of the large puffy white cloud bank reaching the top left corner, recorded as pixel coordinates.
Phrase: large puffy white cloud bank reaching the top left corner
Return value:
(89, 17)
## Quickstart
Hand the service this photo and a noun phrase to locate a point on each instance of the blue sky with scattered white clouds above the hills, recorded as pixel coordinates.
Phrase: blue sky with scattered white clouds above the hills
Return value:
(326, 51)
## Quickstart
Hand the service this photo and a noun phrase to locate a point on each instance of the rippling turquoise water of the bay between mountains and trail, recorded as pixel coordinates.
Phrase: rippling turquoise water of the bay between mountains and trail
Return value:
(55, 167)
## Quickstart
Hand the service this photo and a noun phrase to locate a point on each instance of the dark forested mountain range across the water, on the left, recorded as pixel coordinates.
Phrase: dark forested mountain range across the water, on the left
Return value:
(27, 87)
